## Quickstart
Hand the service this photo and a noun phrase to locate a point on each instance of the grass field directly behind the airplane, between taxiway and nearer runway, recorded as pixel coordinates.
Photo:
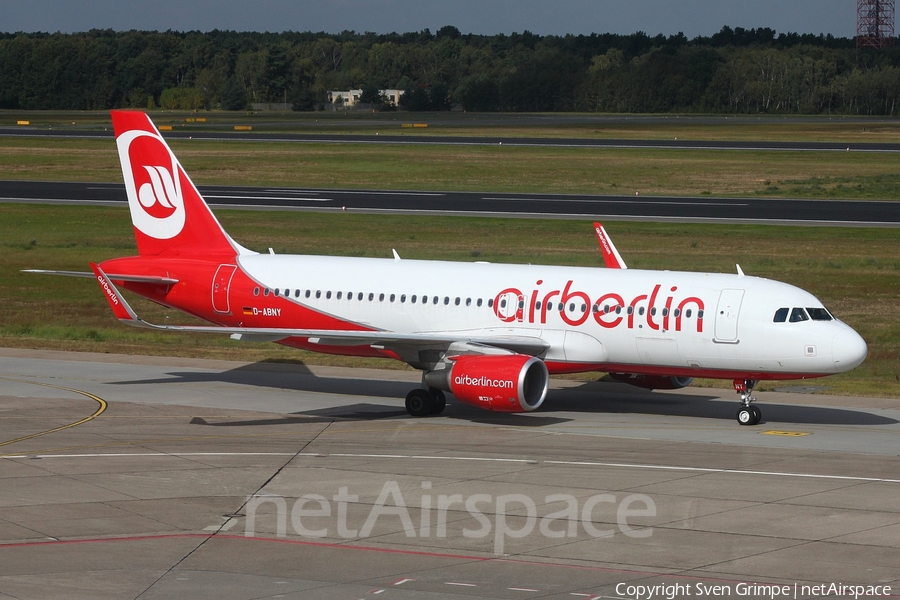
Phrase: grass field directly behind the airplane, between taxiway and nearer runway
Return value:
(855, 271)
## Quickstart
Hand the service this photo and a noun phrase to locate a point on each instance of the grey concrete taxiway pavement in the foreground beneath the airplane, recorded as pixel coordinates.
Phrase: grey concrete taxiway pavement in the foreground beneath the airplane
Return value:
(137, 477)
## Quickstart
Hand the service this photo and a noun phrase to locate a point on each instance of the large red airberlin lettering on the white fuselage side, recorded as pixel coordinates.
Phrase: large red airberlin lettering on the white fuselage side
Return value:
(609, 310)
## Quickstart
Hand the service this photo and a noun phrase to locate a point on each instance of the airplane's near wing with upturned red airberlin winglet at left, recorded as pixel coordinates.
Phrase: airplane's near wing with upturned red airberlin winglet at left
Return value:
(327, 337)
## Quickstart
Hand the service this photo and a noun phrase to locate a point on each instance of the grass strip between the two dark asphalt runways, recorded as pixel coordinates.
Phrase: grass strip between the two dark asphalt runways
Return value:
(850, 175)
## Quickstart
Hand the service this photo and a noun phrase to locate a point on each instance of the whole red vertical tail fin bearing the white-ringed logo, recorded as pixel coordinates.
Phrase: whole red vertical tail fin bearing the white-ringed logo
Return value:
(169, 215)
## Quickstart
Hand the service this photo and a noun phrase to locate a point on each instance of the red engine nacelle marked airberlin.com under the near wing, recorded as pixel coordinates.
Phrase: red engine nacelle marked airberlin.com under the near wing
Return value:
(505, 383)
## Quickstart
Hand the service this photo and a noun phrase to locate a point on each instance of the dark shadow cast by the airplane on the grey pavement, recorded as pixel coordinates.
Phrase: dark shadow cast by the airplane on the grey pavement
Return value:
(590, 397)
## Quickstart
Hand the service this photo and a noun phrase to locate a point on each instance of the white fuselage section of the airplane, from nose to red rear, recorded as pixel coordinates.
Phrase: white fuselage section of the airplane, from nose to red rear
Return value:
(609, 319)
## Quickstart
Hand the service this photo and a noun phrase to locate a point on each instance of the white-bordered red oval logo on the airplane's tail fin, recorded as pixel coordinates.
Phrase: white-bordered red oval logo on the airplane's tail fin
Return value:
(153, 184)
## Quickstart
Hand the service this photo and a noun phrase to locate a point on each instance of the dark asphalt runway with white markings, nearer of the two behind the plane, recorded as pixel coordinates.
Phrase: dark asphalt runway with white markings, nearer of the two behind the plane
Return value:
(652, 208)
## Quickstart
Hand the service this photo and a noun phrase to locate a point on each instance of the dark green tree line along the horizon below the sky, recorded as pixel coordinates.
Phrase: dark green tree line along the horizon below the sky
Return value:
(734, 71)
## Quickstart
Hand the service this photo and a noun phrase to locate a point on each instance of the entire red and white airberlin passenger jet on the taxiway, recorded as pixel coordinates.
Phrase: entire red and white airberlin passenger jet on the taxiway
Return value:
(491, 334)
